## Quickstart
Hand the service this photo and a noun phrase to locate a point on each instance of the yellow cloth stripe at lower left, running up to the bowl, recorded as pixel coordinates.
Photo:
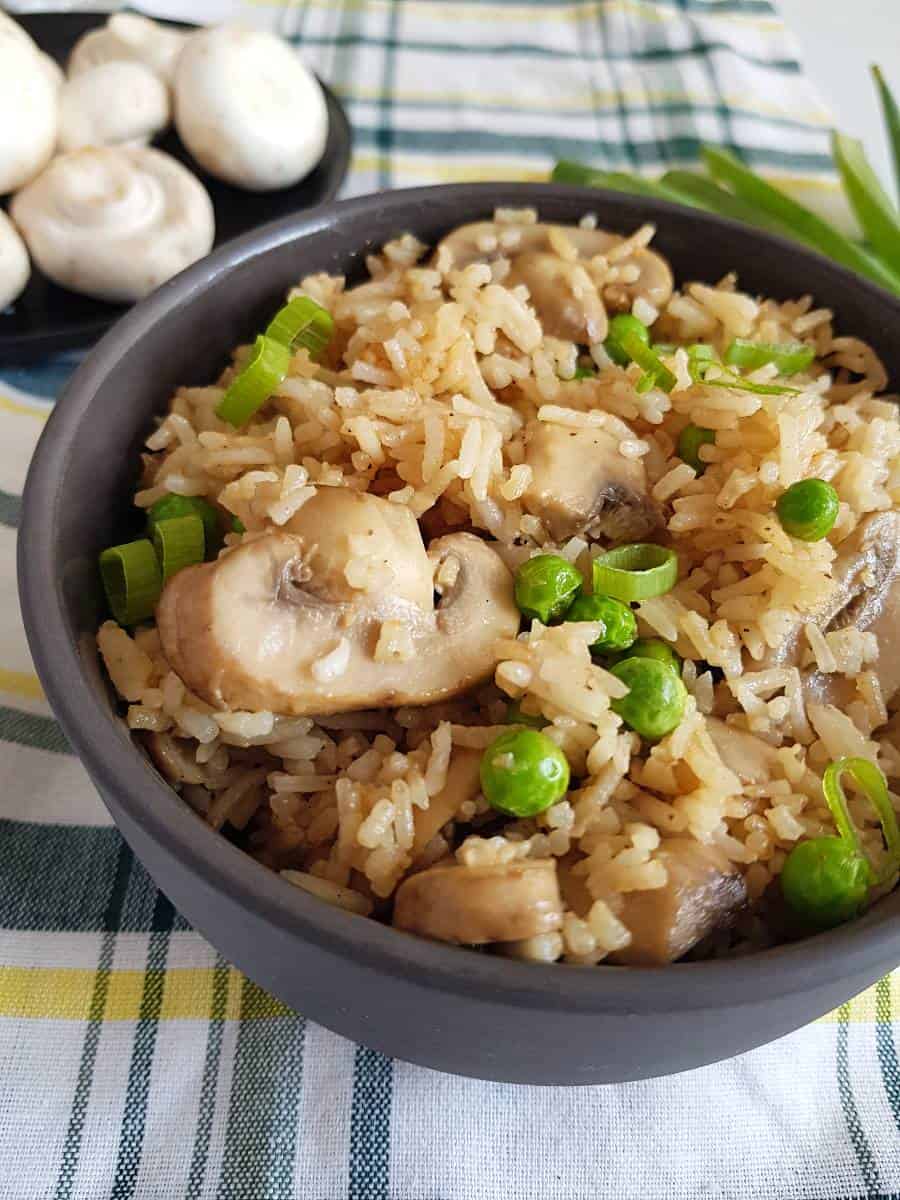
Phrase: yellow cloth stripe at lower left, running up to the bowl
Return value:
(65, 994)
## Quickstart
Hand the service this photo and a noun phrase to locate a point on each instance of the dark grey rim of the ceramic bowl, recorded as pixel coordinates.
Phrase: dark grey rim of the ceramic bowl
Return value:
(117, 765)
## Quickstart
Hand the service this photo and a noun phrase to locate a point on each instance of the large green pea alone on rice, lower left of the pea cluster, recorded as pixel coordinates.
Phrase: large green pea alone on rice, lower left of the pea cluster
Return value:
(524, 773)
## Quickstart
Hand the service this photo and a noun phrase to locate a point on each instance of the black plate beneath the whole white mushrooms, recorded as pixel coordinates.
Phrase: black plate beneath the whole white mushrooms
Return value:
(47, 319)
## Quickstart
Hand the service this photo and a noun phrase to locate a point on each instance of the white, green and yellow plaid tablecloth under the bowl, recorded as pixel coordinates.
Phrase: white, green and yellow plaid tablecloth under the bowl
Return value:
(134, 1061)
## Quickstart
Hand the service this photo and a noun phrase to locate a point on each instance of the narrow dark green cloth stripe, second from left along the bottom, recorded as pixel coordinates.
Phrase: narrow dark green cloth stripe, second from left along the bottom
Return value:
(131, 1138)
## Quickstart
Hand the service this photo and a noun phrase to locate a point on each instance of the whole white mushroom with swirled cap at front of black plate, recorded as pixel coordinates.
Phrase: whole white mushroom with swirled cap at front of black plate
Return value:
(115, 223)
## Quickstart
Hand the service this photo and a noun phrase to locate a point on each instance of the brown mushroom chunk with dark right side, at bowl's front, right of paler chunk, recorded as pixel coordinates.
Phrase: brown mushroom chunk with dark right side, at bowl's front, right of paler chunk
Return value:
(705, 893)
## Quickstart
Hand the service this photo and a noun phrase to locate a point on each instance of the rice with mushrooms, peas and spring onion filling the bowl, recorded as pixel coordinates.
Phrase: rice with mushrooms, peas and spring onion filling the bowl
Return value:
(524, 601)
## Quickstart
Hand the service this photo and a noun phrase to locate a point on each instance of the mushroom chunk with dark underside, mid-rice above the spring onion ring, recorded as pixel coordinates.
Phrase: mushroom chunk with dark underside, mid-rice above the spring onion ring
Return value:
(581, 483)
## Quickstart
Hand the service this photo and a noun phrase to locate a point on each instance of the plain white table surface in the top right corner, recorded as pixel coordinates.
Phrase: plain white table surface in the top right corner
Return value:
(839, 41)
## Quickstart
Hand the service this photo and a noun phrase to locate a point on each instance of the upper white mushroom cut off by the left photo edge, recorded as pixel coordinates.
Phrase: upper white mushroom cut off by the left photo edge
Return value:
(28, 99)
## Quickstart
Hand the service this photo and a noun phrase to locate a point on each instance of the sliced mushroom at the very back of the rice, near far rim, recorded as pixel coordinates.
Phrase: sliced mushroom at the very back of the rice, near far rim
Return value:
(557, 292)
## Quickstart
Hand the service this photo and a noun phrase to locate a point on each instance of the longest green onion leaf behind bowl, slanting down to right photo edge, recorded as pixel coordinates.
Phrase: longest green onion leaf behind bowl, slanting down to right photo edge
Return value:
(803, 225)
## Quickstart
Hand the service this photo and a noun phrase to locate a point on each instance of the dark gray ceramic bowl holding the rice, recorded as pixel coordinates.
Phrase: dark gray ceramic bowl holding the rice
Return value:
(430, 1004)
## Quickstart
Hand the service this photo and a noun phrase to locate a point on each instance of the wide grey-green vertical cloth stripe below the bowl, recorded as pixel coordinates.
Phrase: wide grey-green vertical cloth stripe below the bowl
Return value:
(261, 1138)
